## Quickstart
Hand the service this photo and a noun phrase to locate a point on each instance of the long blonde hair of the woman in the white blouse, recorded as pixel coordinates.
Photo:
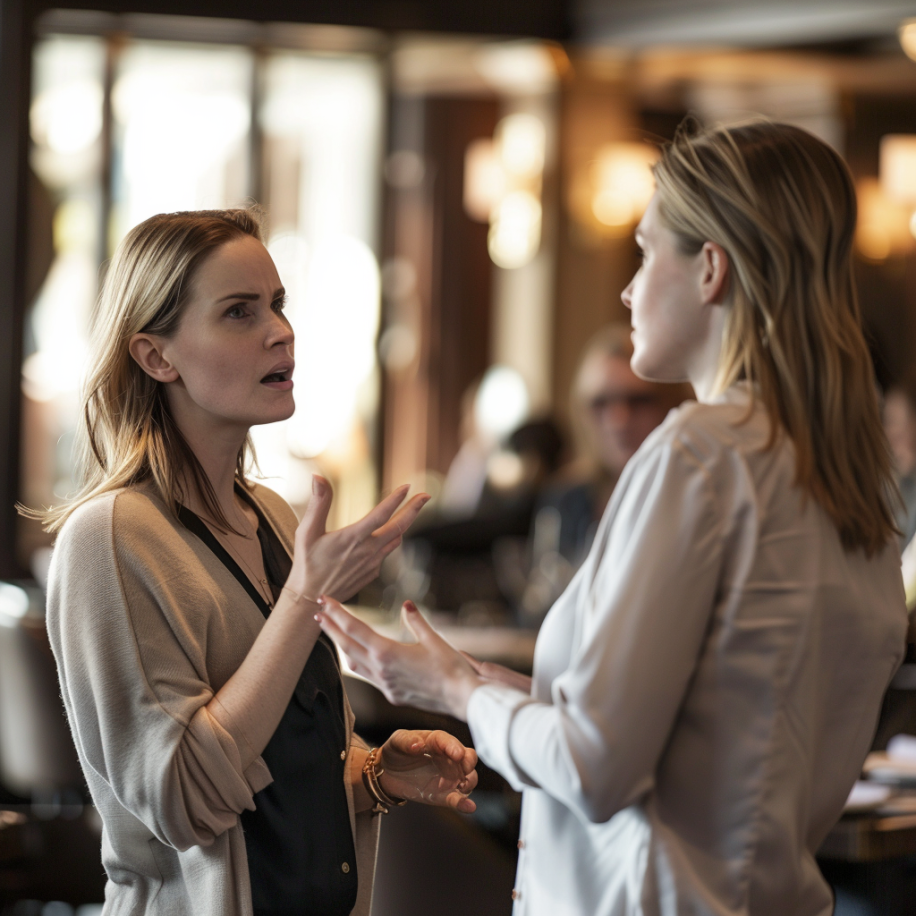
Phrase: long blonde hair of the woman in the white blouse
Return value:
(782, 205)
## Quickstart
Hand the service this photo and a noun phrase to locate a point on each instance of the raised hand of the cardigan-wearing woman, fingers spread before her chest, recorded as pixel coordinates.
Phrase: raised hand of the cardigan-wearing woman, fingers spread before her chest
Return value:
(339, 563)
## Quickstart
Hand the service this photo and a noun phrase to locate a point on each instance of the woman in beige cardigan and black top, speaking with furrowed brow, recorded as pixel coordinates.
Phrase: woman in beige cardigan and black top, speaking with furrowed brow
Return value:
(206, 706)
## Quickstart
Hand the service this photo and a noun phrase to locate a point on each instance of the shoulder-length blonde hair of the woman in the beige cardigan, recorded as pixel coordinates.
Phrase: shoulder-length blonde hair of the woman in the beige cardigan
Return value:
(127, 434)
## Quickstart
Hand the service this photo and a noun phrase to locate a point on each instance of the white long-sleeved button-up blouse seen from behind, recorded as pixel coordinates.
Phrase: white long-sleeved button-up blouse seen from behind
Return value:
(704, 692)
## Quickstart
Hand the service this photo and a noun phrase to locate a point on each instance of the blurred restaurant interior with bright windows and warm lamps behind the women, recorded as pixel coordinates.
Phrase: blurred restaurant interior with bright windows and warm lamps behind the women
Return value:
(451, 192)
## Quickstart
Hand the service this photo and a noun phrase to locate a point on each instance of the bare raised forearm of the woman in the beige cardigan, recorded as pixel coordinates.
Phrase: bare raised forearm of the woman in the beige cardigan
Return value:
(254, 699)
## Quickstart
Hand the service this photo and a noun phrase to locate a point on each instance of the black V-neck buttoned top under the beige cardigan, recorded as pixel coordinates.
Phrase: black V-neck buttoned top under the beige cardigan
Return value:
(300, 848)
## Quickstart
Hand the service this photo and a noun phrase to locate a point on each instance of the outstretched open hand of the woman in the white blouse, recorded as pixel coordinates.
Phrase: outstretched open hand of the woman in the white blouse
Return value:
(430, 674)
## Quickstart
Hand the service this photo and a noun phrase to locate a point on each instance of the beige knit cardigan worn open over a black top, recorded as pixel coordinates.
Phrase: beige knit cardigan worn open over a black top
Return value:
(146, 625)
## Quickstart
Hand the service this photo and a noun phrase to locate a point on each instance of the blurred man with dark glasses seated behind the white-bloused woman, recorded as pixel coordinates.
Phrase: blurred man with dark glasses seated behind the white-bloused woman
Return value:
(613, 411)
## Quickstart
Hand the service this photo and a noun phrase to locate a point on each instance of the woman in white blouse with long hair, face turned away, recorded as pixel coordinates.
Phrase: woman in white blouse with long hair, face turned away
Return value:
(706, 689)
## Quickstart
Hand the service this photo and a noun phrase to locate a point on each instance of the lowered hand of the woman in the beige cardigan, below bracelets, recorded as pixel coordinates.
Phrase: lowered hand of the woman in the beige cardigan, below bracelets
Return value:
(432, 767)
